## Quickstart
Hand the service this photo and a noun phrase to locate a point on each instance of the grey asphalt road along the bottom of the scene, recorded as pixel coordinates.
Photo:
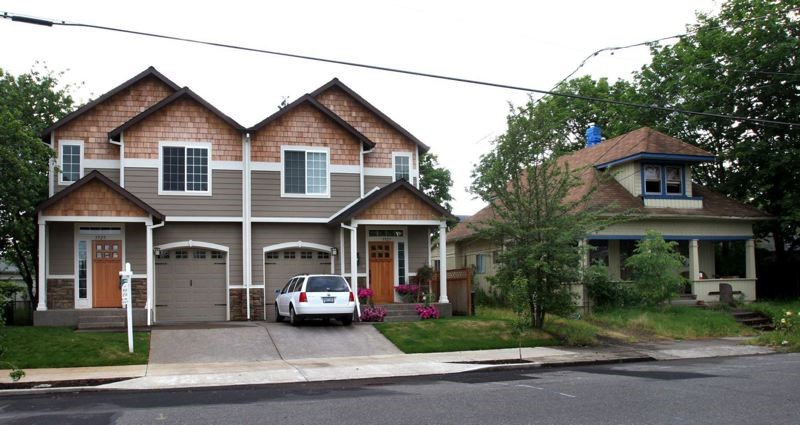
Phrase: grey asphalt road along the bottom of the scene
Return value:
(746, 390)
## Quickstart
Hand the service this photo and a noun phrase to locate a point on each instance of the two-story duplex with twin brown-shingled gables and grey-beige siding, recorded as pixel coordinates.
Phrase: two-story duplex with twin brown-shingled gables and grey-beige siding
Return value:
(214, 216)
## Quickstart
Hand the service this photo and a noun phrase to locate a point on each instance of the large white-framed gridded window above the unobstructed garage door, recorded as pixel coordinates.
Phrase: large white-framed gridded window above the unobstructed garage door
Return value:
(184, 169)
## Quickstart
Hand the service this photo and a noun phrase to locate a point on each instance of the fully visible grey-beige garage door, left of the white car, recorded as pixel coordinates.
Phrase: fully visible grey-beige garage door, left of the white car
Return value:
(190, 285)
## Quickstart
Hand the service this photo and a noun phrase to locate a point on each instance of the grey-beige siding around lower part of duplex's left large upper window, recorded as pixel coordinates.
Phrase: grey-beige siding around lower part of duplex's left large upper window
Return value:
(225, 199)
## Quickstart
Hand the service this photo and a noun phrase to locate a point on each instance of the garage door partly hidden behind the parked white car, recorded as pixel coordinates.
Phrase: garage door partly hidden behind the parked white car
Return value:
(279, 266)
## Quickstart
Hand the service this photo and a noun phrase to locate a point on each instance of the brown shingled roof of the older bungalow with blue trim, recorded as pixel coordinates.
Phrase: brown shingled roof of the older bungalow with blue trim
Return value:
(631, 146)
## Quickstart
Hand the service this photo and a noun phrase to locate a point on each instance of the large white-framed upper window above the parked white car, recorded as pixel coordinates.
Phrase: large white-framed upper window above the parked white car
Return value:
(305, 172)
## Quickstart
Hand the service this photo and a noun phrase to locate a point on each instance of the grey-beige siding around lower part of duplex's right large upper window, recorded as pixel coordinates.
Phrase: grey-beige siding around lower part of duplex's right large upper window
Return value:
(267, 200)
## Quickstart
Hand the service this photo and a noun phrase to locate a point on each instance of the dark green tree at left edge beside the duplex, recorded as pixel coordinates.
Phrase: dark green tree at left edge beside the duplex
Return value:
(29, 103)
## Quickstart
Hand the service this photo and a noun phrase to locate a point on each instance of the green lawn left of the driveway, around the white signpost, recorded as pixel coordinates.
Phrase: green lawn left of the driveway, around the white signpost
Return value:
(35, 347)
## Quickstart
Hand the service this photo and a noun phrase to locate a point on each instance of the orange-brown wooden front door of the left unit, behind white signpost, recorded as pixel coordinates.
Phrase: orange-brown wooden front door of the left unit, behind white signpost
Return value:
(106, 265)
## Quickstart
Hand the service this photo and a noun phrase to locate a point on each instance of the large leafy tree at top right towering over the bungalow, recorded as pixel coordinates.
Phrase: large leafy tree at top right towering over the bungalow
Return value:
(744, 61)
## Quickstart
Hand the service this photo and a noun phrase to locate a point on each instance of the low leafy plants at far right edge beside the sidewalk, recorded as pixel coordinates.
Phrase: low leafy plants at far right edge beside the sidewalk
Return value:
(787, 335)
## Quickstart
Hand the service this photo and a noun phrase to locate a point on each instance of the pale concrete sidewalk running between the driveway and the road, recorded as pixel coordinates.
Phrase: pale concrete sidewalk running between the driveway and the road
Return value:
(192, 375)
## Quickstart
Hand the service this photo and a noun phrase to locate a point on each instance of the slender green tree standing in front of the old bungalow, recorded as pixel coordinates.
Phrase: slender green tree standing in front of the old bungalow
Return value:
(539, 217)
